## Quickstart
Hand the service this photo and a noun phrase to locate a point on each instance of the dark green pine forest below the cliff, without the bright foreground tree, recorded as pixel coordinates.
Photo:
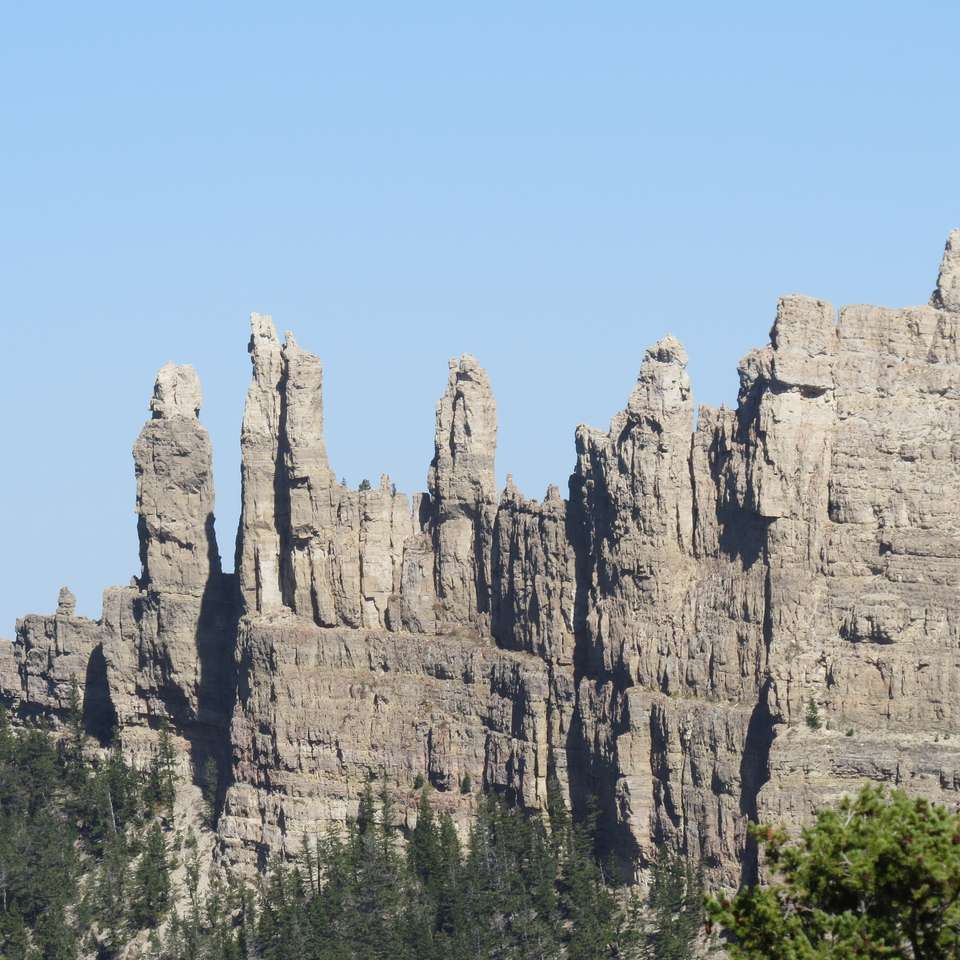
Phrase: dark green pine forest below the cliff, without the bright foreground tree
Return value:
(88, 852)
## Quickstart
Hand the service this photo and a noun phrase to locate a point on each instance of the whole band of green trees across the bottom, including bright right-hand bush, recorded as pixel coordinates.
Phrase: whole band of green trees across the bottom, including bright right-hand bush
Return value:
(92, 865)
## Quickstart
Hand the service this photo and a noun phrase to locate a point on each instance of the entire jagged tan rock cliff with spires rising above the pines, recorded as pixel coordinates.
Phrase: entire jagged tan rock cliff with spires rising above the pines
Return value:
(655, 640)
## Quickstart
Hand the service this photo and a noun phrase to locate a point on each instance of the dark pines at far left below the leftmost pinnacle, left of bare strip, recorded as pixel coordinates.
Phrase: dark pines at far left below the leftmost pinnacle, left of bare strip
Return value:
(83, 863)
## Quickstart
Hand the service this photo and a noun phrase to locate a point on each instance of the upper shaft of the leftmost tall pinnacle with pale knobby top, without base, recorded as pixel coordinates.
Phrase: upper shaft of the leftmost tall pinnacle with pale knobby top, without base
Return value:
(173, 463)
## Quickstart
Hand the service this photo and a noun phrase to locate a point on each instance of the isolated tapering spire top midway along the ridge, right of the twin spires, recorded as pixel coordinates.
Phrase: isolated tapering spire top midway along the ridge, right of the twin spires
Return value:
(466, 436)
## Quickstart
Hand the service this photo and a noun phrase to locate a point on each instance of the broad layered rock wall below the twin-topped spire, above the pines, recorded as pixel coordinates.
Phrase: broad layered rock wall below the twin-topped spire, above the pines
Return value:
(322, 711)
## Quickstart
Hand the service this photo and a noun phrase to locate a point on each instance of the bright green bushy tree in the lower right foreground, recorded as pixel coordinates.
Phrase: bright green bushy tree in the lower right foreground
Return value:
(876, 877)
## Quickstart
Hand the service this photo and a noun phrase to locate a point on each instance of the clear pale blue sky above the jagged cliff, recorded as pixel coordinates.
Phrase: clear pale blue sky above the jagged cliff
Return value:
(549, 186)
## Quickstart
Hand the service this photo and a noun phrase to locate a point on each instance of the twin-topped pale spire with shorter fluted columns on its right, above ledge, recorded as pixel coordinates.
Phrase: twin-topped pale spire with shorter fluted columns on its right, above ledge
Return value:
(307, 543)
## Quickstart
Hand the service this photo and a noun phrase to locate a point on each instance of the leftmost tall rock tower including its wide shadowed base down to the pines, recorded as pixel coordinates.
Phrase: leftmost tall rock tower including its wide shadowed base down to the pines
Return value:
(165, 642)
